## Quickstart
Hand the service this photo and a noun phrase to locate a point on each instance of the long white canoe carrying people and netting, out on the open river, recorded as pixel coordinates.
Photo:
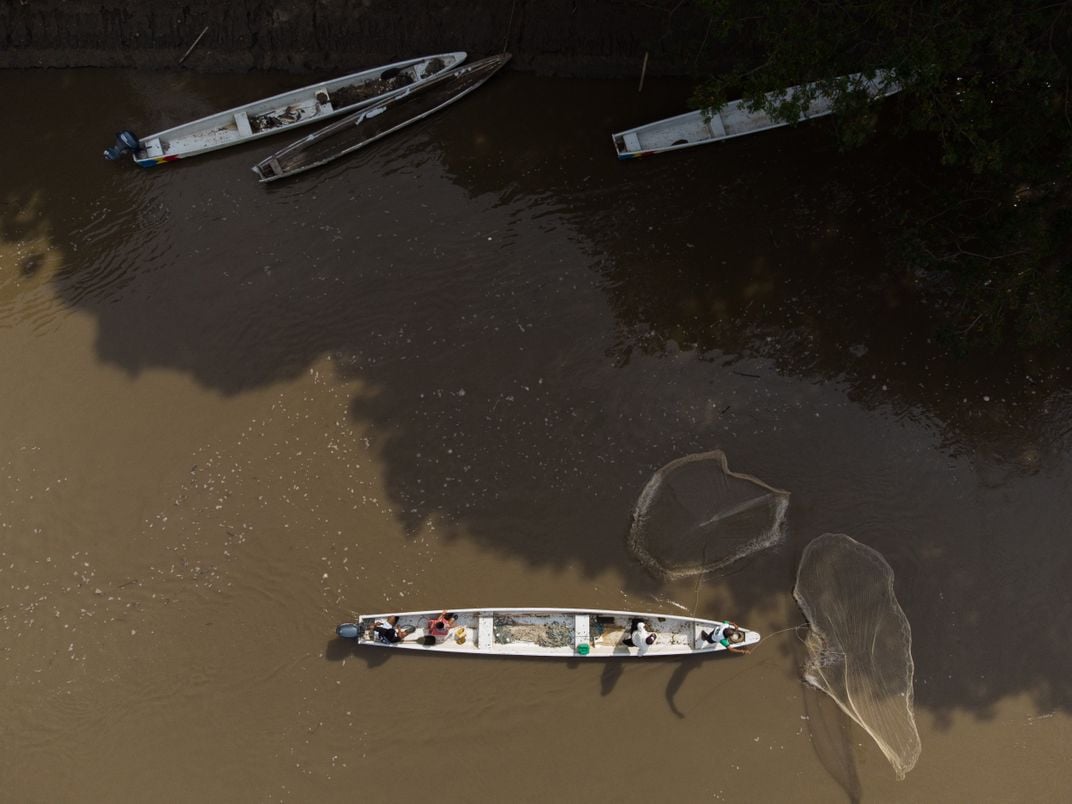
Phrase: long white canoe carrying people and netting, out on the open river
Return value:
(592, 633)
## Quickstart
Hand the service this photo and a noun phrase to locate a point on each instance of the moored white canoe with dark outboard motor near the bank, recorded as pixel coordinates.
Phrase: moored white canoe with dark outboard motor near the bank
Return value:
(316, 103)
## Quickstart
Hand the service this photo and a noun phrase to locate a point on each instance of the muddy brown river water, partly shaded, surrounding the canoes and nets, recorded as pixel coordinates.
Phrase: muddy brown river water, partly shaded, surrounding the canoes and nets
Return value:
(439, 374)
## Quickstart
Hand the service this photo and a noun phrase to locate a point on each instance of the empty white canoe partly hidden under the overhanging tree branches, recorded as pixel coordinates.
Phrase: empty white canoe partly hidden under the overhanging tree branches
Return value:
(733, 121)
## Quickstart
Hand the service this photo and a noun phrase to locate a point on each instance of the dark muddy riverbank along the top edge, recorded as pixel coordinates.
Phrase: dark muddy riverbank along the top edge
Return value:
(568, 38)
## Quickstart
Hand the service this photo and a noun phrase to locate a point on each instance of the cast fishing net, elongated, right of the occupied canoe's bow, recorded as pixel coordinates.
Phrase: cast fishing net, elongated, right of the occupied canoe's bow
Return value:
(859, 644)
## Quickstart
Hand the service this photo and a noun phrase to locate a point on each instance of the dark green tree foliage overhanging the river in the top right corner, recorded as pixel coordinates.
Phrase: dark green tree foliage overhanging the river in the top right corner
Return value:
(990, 83)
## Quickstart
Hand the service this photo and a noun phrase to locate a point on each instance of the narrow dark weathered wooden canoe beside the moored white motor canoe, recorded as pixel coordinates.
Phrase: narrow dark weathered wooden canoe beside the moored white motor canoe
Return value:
(364, 128)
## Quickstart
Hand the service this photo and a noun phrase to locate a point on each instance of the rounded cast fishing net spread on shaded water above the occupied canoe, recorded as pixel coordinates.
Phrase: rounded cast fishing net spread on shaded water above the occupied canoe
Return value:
(696, 516)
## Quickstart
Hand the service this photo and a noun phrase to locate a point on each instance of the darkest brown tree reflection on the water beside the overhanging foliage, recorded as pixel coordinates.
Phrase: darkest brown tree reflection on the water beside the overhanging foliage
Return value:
(750, 251)
